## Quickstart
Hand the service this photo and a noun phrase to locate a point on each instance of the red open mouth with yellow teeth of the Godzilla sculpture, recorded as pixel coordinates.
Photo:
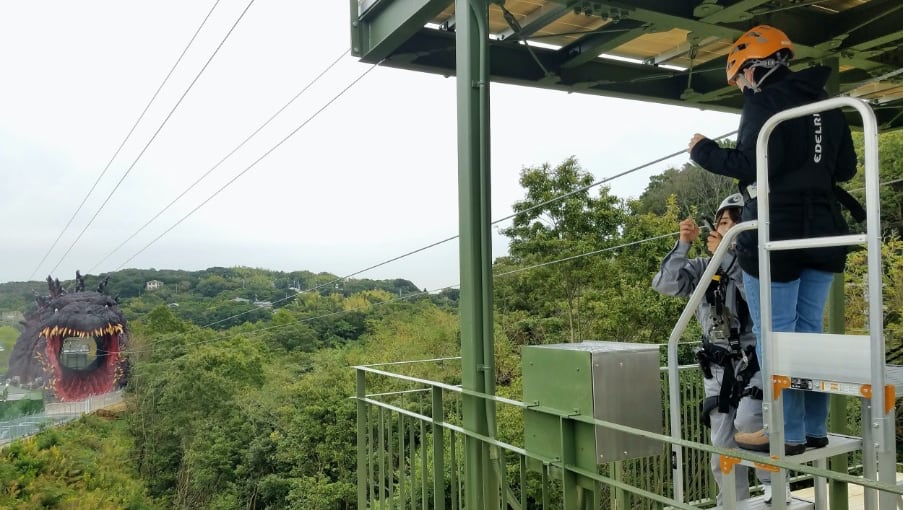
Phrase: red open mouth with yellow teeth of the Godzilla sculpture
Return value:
(74, 381)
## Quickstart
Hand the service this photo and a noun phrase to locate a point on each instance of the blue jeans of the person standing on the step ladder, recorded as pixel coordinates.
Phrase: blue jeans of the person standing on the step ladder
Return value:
(797, 306)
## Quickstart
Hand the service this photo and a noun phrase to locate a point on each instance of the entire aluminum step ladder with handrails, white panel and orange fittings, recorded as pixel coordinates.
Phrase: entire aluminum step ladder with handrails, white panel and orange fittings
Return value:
(842, 364)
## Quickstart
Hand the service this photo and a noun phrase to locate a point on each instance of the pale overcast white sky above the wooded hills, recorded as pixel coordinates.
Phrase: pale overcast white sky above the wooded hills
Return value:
(370, 177)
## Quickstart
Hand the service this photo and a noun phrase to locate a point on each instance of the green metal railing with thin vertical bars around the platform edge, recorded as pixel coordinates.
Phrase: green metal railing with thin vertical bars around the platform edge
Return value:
(410, 449)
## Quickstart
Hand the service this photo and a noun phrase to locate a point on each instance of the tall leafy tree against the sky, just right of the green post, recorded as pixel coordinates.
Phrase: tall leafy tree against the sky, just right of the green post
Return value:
(558, 221)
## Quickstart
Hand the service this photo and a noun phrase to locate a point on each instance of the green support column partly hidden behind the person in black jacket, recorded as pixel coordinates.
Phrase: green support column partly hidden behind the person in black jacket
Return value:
(838, 494)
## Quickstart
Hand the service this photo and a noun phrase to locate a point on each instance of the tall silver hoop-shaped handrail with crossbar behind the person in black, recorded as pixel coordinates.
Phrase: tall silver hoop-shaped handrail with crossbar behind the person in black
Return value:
(880, 434)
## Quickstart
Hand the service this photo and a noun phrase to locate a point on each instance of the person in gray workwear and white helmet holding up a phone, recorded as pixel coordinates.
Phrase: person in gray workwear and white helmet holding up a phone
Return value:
(727, 356)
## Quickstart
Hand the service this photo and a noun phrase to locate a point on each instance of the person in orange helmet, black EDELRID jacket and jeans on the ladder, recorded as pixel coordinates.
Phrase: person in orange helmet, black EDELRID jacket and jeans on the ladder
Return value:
(807, 156)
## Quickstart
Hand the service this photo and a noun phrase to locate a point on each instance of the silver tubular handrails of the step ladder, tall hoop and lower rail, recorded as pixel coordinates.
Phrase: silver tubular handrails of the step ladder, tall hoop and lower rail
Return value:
(882, 426)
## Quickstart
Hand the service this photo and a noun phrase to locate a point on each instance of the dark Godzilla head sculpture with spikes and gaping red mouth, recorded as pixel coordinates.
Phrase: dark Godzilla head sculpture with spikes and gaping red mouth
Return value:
(61, 321)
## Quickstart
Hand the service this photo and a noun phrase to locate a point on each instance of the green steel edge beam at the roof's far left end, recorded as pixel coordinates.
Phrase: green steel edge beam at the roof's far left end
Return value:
(385, 25)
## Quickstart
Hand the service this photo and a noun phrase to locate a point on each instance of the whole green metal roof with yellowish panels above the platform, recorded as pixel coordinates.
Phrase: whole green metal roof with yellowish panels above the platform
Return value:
(667, 51)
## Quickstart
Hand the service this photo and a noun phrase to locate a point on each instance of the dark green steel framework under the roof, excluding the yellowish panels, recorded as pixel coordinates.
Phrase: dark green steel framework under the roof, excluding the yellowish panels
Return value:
(392, 32)
